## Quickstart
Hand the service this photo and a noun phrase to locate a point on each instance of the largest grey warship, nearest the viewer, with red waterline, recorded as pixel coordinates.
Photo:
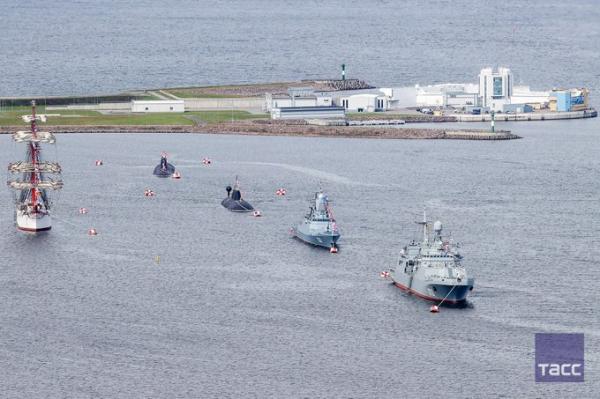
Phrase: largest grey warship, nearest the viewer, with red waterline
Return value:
(432, 269)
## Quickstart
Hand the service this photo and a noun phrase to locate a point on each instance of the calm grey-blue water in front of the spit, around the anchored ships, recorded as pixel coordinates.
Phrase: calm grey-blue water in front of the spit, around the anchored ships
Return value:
(237, 308)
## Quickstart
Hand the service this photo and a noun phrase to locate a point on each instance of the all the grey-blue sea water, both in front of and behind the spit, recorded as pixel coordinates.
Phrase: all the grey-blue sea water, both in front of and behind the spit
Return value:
(236, 308)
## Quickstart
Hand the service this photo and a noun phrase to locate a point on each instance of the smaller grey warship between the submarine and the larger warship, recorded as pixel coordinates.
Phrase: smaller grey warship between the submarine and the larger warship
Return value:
(319, 227)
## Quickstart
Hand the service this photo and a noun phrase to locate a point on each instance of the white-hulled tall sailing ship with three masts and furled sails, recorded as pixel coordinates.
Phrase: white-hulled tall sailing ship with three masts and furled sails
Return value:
(36, 177)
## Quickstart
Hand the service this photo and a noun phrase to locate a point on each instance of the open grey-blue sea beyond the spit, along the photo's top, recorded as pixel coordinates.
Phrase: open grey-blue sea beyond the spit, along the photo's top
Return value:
(86, 46)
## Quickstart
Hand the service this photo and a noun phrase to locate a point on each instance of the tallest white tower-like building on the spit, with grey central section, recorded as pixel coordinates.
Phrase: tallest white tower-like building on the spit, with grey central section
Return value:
(495, 88)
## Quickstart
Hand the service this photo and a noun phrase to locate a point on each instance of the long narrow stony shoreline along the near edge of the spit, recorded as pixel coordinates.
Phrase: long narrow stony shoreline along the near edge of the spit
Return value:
(282, 129)
